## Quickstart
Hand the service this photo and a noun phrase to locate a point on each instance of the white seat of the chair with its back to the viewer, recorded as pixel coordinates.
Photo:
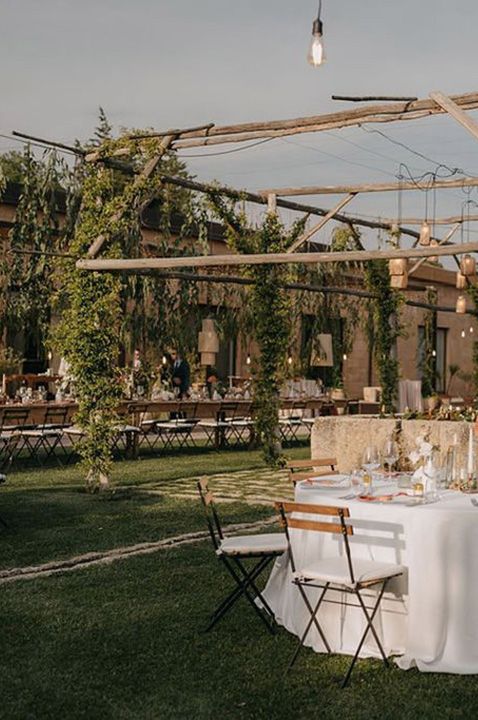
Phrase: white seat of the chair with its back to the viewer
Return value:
(336, 571)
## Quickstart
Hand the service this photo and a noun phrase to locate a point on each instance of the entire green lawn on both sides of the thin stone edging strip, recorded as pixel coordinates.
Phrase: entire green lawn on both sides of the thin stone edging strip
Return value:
(126, 640)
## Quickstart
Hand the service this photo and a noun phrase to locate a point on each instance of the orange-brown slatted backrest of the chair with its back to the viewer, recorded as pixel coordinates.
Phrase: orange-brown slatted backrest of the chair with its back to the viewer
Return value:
(289, 520)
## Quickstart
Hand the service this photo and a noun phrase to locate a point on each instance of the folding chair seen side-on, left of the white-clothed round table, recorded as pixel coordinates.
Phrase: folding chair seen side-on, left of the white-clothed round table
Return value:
(232, 552)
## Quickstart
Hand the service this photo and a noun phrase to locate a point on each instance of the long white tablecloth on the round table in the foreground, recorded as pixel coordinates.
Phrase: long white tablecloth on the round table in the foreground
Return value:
(430, 617)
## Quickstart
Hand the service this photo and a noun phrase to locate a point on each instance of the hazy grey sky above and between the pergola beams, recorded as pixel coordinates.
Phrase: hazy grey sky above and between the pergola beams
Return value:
(178, 63)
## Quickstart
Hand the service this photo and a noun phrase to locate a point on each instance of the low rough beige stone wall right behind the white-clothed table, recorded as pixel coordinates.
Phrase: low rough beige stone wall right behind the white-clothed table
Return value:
(346, 437)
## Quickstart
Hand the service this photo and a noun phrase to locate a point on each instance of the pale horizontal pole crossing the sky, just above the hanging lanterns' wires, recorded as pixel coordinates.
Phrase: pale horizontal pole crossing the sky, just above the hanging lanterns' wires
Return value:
(467, 181)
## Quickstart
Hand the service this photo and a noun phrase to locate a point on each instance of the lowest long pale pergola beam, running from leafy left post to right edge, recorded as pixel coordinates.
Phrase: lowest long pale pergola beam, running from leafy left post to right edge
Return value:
(109, 264)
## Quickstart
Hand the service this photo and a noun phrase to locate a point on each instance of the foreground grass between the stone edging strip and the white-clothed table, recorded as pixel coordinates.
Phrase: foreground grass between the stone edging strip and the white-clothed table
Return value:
(126, 641)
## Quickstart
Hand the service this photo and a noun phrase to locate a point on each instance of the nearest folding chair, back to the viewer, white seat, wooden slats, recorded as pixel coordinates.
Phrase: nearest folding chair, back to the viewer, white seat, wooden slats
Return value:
(336, 574)
